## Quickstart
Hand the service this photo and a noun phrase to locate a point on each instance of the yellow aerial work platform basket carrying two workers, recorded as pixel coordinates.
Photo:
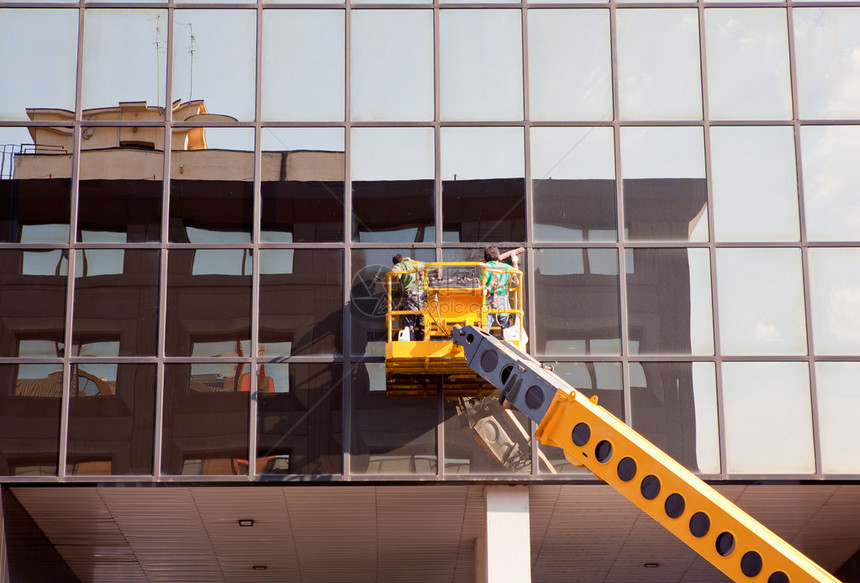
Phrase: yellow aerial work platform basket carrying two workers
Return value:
(453, 294)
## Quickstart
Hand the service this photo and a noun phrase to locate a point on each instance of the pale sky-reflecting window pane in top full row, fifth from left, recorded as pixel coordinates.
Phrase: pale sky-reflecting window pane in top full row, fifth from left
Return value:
(392, 65)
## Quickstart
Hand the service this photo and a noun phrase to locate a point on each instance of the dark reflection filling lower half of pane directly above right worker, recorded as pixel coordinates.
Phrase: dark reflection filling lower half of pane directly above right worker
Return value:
(484, 210)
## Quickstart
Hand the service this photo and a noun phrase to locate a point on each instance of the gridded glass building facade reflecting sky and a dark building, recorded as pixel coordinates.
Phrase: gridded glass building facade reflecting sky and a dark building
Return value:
(198, 200)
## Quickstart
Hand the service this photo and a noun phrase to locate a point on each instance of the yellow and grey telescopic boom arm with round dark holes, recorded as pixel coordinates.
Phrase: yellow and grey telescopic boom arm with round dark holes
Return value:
(723, 534)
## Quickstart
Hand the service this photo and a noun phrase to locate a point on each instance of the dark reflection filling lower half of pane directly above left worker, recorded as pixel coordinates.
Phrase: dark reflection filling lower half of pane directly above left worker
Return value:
(397, 211)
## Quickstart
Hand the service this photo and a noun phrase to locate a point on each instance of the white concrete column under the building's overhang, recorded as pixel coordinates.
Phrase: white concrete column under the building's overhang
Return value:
(503, 555)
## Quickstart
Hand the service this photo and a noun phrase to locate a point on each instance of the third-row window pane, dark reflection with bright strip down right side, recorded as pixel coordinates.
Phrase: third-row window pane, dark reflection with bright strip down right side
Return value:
(669, 299)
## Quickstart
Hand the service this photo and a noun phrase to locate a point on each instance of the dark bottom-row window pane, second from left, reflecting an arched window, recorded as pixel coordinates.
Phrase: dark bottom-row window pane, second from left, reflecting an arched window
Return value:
(111, 419)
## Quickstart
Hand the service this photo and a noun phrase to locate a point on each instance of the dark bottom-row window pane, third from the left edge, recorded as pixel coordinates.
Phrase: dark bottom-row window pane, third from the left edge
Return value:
(205, 419)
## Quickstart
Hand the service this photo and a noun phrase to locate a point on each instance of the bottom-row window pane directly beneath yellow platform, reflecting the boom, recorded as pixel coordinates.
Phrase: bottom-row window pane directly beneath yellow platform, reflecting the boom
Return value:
(482, 437)
